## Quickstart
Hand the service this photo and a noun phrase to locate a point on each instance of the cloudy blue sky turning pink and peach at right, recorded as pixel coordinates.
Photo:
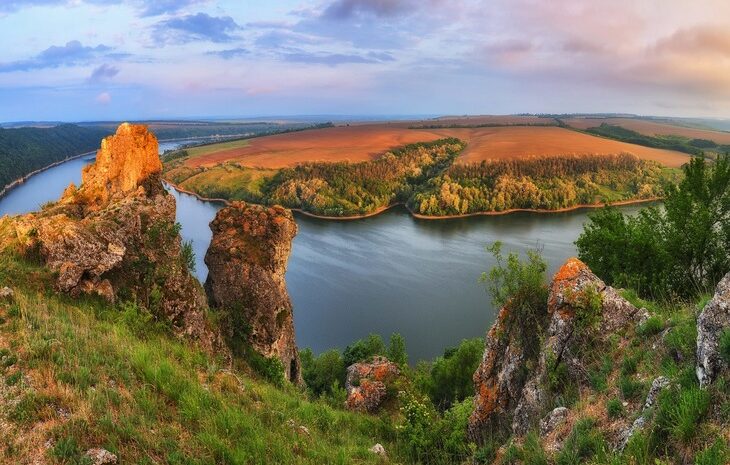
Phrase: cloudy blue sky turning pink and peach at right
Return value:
(83, 60)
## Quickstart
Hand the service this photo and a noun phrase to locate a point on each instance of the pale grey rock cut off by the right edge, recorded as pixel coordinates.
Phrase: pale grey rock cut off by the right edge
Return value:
(713, 320)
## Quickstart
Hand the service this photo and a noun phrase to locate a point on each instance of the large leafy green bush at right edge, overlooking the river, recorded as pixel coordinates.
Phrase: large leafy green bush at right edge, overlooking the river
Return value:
(652, 251)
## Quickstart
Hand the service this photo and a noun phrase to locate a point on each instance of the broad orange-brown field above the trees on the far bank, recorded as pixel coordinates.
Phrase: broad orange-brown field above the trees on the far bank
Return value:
(366, 142)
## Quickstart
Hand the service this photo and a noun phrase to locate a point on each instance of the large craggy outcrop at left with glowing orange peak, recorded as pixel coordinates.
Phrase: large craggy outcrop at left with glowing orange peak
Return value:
(116, 235)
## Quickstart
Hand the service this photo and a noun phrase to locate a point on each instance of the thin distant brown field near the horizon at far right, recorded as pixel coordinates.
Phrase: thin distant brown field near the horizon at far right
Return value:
(652, 128)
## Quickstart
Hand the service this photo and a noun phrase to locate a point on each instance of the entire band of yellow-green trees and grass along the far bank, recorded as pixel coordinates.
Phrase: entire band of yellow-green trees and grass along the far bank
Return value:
(425, 177)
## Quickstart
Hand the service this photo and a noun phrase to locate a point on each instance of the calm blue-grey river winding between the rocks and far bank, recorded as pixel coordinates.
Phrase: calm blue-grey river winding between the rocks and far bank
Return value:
(384, 274)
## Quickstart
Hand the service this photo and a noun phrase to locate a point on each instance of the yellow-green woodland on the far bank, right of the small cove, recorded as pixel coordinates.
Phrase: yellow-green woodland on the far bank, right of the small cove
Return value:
(540, 183)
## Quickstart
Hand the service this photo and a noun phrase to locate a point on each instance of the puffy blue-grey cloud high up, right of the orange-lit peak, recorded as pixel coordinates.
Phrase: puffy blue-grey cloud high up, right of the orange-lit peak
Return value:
(193, 28)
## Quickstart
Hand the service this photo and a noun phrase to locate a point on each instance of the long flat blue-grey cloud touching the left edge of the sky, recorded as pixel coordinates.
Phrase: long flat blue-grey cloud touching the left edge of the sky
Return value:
(73, 53)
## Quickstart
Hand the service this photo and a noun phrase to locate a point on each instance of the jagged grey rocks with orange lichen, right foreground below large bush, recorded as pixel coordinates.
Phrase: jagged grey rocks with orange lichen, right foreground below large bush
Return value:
(507, 389)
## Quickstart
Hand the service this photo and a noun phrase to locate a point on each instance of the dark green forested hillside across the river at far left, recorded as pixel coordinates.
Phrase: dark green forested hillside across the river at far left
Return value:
(24, 150)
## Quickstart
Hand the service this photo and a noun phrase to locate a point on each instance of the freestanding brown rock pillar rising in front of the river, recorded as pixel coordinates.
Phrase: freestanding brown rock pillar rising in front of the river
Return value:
(247, 262)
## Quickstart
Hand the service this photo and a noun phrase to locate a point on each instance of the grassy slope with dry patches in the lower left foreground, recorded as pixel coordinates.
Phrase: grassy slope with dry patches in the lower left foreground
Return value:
(84, 375)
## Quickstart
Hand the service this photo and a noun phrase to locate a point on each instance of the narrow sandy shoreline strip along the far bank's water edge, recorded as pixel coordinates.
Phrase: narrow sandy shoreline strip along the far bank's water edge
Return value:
(428, 217)
